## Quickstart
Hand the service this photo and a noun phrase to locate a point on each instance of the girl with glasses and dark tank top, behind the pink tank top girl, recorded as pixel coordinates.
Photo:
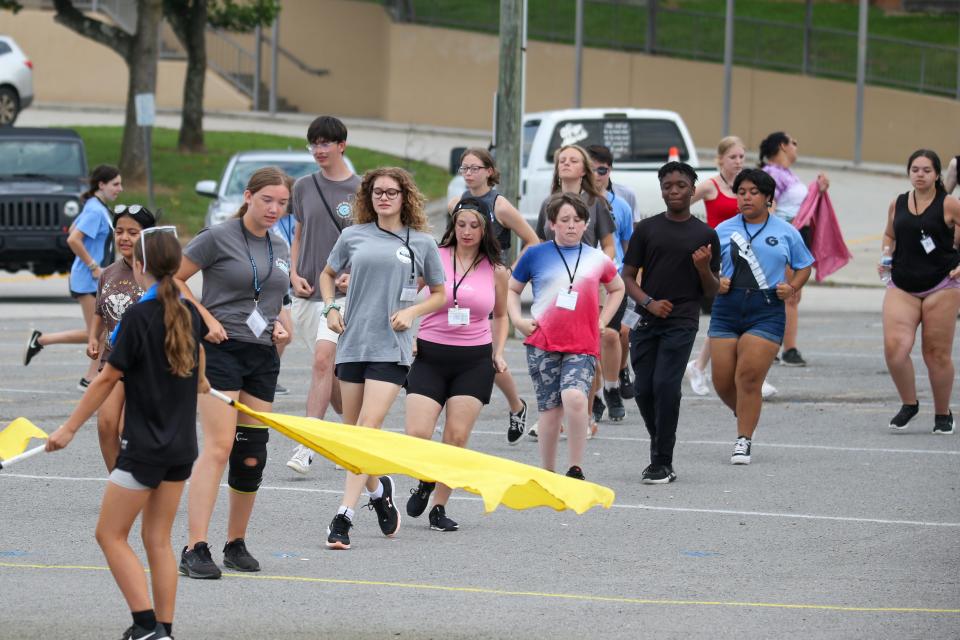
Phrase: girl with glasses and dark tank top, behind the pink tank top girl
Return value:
(481, 177)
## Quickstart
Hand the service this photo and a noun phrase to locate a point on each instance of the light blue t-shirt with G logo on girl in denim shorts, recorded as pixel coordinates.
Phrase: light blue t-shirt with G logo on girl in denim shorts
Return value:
(755, 256)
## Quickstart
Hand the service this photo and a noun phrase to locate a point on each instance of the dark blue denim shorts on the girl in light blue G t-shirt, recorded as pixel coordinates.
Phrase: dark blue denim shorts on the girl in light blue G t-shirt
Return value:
(758, 312)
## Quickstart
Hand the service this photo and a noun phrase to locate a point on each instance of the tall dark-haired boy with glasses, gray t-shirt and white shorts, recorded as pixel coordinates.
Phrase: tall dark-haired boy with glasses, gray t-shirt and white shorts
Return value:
(321, 205)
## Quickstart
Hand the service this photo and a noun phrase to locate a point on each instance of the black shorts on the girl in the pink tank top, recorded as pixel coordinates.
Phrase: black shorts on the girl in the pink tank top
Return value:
(442, 371)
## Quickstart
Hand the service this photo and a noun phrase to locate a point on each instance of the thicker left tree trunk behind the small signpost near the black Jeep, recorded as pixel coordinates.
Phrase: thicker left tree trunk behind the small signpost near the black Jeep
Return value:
(142, 66)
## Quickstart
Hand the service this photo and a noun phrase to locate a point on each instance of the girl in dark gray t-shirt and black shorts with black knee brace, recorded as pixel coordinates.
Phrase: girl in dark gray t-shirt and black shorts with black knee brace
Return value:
(245, 279)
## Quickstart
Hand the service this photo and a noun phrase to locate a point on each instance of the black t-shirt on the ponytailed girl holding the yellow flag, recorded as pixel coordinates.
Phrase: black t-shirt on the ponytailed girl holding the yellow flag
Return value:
(160, 420)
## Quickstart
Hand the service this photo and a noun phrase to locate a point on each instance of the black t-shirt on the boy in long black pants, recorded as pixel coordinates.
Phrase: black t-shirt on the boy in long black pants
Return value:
(663, 249)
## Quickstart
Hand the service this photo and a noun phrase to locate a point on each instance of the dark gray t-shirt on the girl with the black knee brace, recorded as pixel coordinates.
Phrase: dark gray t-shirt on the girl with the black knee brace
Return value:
(220, 251)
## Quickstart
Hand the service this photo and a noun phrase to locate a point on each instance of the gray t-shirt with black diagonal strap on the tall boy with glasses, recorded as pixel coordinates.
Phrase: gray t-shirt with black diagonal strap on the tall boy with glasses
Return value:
(319, 228)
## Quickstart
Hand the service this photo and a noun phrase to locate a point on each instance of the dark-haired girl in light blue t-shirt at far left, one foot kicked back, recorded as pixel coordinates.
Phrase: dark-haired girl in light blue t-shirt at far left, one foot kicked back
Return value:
(90, 239)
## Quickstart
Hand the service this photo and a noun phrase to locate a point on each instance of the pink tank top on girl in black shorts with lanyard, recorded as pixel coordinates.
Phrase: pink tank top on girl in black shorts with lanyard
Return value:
(475, 292)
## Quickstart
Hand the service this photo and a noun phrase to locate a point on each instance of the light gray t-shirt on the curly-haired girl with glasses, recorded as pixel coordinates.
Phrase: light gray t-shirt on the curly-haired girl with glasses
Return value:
(379, 266)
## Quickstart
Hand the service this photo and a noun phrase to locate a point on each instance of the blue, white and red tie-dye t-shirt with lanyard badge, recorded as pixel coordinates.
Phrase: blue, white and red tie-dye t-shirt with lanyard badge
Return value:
(558, 329)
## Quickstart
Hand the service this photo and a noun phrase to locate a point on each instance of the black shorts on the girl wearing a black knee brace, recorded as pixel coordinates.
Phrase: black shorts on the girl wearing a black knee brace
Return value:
(243, 366)
